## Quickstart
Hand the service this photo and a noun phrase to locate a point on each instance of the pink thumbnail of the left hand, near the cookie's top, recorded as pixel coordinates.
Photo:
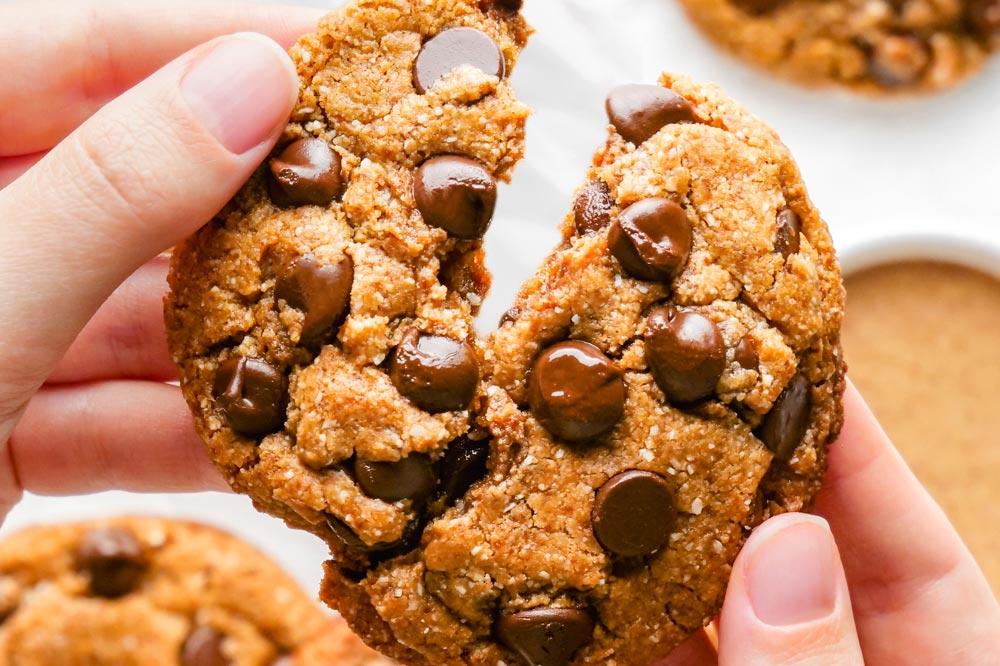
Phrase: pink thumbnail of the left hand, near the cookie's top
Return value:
(241, 90)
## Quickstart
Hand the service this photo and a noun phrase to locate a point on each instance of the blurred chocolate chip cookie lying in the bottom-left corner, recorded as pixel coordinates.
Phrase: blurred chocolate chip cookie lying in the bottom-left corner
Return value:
(142, 591)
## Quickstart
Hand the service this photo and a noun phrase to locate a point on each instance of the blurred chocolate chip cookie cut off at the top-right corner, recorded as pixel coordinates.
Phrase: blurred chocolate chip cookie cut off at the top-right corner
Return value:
(873, 45)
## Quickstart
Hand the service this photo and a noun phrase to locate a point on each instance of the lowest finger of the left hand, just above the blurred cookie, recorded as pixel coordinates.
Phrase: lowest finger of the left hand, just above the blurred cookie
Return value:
(87, 438)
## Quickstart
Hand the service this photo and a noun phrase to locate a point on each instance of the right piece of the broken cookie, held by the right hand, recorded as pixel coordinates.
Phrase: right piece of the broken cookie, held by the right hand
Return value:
(669, 378)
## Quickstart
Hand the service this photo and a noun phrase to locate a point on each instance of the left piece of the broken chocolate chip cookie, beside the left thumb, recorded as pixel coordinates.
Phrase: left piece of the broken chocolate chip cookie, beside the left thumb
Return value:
(322, 323)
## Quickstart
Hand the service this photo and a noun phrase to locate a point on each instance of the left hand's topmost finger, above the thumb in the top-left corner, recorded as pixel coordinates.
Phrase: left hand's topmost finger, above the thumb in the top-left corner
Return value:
(58, 73)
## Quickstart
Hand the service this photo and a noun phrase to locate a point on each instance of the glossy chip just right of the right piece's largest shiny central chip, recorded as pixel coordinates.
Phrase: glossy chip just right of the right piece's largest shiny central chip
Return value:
(685, 352)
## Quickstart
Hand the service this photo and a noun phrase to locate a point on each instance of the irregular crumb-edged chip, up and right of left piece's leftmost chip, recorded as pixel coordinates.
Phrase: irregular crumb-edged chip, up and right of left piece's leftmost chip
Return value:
(321, 291)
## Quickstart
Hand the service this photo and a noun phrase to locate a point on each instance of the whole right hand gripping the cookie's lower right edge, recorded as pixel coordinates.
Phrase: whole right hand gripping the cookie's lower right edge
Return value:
(918, 596)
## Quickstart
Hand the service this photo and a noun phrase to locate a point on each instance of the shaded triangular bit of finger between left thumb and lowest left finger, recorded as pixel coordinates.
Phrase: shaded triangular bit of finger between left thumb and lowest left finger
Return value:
(126, 338)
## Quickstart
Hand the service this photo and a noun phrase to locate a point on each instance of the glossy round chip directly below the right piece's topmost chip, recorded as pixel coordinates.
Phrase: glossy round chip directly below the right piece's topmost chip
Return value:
(651, 239)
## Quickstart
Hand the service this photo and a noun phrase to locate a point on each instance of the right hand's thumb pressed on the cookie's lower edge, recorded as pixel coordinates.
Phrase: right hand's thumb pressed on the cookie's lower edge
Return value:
(787, 603)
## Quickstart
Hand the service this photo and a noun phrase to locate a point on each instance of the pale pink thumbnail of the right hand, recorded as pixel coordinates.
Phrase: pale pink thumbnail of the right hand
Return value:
(793, 575)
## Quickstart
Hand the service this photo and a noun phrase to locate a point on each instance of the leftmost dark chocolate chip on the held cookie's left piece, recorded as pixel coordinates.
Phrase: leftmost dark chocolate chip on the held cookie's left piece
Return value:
(252, 394)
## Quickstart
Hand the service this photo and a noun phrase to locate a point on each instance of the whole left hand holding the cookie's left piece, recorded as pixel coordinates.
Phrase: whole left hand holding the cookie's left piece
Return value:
(94, 187)
